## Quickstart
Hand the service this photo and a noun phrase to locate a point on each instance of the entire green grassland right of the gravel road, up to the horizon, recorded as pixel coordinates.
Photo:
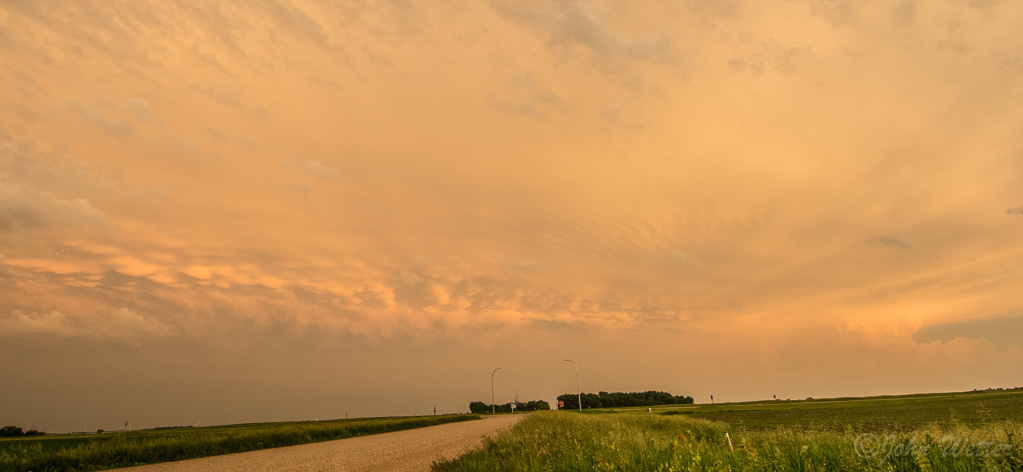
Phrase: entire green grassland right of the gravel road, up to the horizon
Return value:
(974, 432)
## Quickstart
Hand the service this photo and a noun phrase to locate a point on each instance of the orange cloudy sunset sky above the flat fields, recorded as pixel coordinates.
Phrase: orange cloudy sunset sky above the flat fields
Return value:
(224, 212)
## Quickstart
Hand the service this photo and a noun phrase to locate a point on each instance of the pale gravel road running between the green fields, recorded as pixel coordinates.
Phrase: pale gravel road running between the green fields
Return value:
(413, 450)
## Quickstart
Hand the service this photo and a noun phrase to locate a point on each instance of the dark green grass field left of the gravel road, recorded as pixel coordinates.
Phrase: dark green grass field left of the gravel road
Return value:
(109, 451)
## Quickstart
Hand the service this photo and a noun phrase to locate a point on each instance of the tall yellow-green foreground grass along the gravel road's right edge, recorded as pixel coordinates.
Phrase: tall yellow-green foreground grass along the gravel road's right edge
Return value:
(641, 442)
